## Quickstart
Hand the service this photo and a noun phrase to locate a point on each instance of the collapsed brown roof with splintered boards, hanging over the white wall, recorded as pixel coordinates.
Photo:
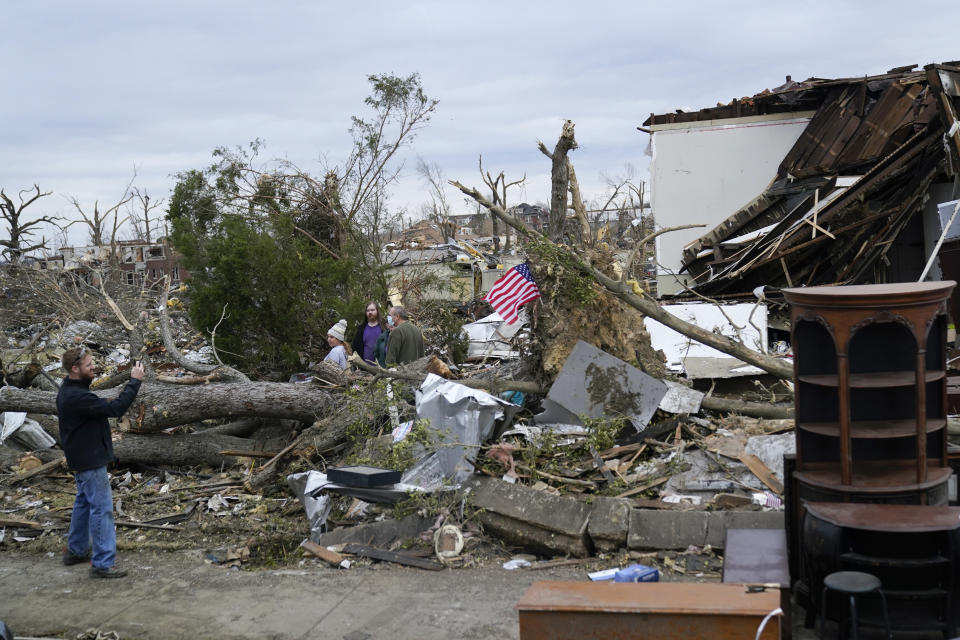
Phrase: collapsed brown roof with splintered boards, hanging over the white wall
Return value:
(843, 194)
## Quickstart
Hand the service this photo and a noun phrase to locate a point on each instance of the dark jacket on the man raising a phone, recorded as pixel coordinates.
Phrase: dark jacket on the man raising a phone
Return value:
(84, 430)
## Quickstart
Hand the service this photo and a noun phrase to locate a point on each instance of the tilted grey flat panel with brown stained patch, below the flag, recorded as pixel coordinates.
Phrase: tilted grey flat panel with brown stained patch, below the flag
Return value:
(594, 384)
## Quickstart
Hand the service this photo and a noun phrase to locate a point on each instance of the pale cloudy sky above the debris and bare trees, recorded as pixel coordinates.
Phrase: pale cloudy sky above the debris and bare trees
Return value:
(94, 89)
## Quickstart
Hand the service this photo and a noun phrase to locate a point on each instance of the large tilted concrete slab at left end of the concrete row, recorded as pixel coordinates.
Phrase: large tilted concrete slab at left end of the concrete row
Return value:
(535, 520)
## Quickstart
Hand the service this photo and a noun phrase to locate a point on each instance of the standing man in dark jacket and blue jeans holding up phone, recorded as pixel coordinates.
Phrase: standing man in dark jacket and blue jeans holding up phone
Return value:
(87, 443)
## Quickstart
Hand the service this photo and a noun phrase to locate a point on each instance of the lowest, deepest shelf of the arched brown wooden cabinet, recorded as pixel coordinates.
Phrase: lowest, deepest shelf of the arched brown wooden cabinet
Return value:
(881, 477)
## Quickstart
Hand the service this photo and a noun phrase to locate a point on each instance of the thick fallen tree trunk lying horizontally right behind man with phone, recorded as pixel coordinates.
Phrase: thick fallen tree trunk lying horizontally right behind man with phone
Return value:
(159, 407)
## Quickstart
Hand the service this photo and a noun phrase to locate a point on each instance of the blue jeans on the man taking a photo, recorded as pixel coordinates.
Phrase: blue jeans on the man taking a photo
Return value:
(92, 519)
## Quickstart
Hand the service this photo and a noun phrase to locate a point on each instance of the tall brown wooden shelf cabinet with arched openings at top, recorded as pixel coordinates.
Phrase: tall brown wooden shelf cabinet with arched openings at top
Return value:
(870, 392)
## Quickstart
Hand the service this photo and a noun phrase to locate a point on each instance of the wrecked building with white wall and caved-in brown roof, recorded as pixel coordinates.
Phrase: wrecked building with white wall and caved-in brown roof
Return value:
(812, 183)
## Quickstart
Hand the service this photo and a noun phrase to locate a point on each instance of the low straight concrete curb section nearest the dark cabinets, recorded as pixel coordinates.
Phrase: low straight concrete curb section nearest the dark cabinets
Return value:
(655, 529)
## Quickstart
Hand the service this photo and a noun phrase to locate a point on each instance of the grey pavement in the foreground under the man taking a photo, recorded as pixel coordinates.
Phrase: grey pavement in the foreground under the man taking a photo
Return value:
(173, 596)
